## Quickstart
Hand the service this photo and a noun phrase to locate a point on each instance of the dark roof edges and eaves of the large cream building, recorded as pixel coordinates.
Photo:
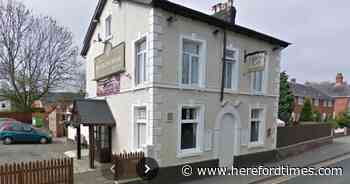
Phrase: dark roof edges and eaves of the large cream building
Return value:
(183, 11)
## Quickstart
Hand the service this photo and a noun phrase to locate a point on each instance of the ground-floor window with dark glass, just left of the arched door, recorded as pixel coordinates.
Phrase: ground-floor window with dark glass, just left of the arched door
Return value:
(190, 129)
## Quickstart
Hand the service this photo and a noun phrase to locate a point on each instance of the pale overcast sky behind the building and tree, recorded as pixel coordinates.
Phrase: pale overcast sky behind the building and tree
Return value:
(318, 29)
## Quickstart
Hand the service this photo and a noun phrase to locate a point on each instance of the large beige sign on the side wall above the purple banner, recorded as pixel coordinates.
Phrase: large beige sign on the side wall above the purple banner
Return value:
(112, 61)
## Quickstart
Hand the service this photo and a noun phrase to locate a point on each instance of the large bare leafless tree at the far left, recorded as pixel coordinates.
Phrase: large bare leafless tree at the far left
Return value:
(36, 54)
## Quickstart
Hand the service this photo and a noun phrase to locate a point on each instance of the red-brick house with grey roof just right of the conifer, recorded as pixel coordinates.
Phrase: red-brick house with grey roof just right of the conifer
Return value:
(321, 102)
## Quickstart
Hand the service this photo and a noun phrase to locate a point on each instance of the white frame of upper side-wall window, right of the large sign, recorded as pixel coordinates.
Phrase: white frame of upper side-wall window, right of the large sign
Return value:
(135, 54)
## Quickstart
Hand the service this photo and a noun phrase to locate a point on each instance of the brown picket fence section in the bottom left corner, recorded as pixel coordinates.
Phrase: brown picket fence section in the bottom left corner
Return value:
(58, 171)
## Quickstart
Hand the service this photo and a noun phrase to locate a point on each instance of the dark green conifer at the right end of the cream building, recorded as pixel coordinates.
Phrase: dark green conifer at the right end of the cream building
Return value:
(286, 99)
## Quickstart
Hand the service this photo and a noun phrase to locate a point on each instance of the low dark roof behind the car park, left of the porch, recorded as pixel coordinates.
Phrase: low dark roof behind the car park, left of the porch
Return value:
(54, 97)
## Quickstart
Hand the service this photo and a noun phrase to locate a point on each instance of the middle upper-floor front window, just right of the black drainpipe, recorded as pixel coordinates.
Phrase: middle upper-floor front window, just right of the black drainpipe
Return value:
(231, 69)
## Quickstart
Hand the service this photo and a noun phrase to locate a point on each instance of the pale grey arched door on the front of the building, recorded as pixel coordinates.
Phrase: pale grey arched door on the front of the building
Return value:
(227, 135)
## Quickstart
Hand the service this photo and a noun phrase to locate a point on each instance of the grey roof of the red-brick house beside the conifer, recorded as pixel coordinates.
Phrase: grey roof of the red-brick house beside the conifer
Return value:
(302, 90)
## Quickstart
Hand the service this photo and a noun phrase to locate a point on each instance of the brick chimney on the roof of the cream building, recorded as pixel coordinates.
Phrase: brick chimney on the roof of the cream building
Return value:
(225, 11)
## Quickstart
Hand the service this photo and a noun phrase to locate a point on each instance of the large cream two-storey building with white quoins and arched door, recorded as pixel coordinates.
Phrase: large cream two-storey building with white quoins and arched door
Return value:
(183, 86)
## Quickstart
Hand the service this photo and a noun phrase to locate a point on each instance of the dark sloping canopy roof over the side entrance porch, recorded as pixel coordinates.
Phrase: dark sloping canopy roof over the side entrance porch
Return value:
(93, 112)
